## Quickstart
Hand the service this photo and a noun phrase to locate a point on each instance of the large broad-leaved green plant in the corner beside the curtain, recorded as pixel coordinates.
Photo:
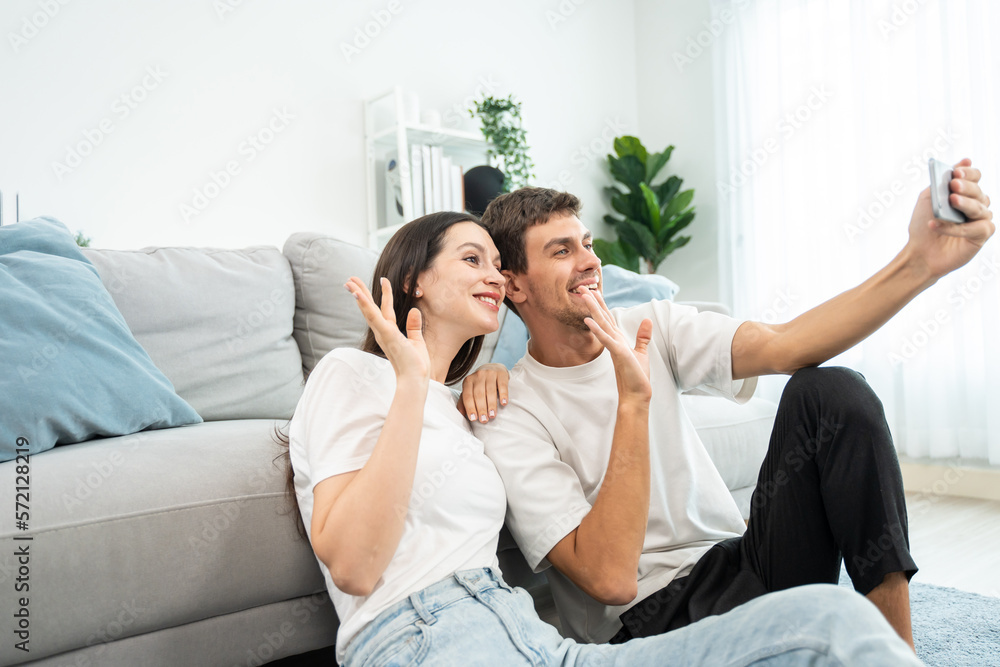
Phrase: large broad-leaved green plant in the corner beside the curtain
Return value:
(652, 214)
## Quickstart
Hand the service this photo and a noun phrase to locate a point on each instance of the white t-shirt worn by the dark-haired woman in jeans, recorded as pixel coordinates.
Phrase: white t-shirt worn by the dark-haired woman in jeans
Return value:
(457, 504)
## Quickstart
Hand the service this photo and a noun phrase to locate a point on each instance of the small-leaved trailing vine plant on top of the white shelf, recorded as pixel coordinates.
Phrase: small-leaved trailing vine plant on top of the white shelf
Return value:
(508, 148)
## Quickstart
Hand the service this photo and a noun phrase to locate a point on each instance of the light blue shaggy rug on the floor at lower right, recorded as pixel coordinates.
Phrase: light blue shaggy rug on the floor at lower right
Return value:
(952, 628)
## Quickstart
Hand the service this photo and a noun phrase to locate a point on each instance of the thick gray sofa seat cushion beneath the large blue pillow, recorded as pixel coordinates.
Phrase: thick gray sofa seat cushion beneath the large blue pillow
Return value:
(155, 530)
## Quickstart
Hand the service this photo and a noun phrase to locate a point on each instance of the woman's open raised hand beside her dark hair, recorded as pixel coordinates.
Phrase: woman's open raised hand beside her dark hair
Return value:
(407, 354)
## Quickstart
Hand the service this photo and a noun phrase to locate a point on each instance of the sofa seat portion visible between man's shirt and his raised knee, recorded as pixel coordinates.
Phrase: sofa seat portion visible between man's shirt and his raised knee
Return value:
(736, 436)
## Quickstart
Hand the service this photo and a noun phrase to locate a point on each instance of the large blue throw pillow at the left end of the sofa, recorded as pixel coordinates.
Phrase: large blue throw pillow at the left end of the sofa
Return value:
(71, 369)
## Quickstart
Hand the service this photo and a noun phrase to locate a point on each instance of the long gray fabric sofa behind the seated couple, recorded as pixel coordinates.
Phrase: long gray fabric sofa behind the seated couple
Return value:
(177, 546)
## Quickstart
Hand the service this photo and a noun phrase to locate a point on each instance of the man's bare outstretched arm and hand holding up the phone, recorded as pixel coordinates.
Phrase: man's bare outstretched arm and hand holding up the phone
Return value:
(935, 248)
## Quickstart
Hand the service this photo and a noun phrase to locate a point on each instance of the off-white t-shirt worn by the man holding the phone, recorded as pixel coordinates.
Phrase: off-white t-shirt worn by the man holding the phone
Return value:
(551, 444)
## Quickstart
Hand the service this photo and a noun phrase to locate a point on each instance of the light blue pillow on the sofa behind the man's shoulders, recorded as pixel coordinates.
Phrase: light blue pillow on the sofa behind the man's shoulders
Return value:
(622, 288)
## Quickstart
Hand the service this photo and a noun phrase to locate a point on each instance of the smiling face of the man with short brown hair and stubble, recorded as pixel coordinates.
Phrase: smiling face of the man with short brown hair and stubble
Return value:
(561, 265)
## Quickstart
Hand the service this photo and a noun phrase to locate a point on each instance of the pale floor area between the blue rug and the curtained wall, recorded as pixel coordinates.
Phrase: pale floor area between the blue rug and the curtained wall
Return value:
(956, 542)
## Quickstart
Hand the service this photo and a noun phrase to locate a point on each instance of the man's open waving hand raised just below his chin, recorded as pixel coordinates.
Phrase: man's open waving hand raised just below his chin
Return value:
(631, 364)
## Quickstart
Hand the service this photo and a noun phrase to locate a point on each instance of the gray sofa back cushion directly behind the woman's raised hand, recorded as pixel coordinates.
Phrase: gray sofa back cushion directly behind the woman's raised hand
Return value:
(326, 315)
